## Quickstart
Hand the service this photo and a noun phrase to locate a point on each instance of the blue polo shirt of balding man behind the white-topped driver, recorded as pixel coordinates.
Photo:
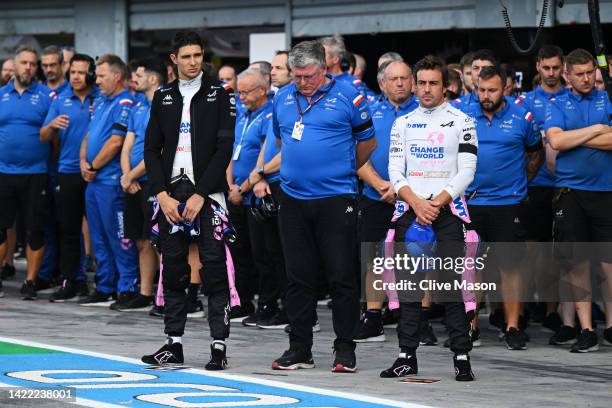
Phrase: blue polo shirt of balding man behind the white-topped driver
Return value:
(383, 116)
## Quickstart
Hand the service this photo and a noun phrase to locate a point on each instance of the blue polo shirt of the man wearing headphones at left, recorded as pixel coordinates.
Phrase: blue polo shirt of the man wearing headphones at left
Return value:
(67, 103)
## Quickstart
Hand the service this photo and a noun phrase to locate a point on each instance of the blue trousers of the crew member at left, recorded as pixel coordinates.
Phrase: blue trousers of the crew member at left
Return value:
(116, 256)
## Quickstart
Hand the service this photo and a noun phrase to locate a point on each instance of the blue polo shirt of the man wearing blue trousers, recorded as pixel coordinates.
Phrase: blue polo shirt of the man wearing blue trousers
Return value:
(110, 117)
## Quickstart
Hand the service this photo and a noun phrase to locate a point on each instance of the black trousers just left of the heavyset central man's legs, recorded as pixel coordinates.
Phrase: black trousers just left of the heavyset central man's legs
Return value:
(268, 256)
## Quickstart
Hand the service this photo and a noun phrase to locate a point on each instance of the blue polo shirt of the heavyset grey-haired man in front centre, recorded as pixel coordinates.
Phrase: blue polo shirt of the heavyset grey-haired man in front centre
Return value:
(321, 164)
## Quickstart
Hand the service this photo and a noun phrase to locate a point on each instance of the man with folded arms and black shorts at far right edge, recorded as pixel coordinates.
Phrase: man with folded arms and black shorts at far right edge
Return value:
(578, 126)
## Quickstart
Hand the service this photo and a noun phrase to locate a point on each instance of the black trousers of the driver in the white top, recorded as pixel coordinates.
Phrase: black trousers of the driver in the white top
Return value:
(450, 243)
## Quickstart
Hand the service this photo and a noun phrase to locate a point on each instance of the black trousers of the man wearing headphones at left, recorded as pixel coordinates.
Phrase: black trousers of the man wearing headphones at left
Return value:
(72, 208)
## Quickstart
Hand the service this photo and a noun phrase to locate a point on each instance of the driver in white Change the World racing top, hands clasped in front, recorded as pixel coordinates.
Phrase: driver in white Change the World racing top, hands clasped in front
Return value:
(432, 160)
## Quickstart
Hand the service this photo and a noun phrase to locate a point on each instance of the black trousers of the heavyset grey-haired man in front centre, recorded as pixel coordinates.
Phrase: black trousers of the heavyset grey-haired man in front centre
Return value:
(320, 232)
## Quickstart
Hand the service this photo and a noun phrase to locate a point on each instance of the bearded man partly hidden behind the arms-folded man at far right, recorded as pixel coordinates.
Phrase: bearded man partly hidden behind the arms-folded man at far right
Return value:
(538, 208)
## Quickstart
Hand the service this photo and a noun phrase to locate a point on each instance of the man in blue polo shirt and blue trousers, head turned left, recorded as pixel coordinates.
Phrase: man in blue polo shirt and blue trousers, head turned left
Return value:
(116, 255)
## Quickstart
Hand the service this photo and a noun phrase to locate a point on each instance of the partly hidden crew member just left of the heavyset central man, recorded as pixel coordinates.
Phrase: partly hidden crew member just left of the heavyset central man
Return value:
(265, 179)
